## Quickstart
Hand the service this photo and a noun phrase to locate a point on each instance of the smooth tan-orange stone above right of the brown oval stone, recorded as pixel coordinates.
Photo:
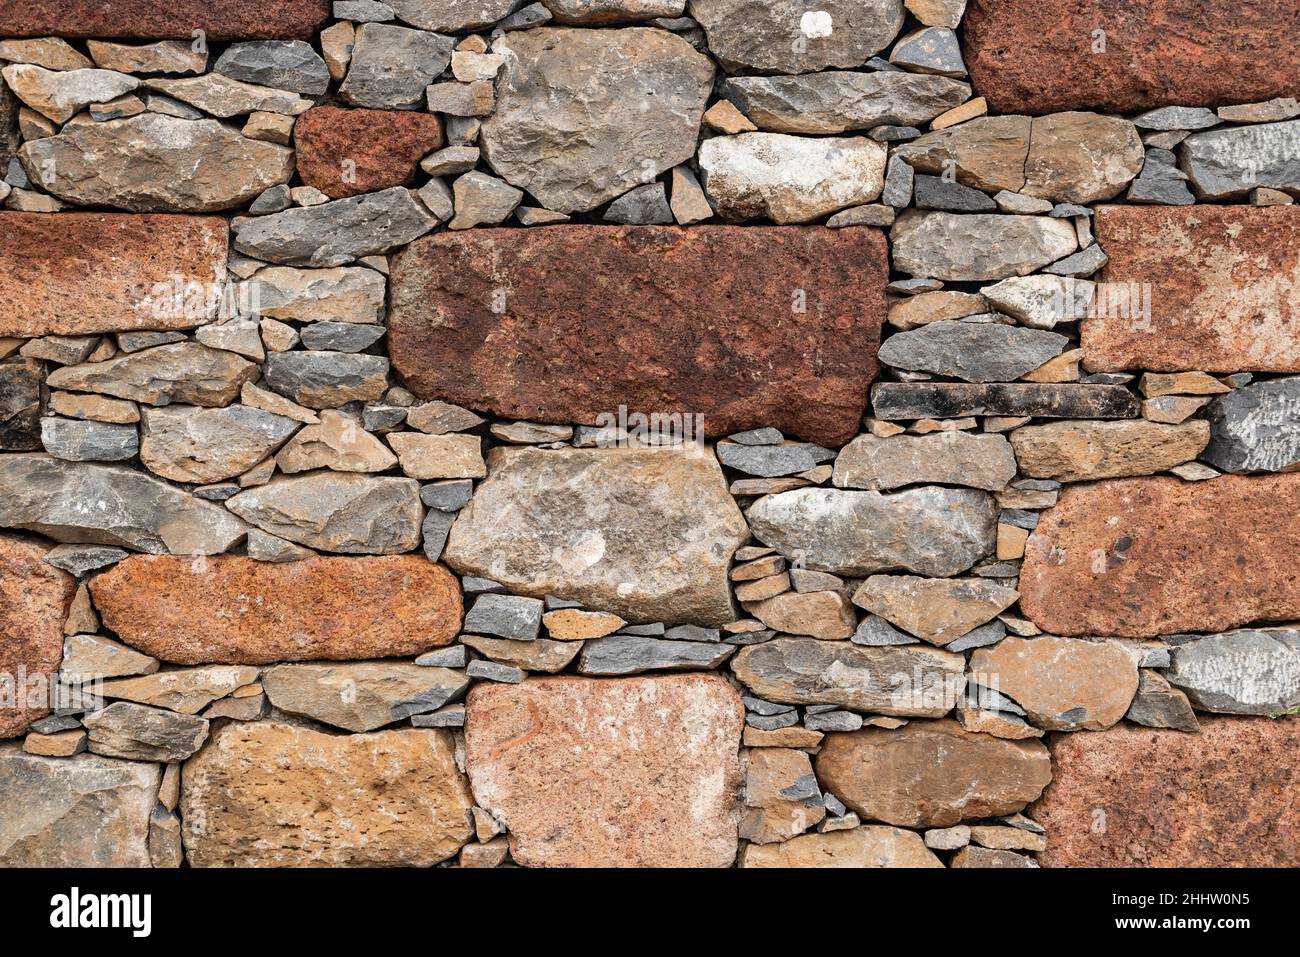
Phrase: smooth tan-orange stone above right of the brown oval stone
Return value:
(1063, 685)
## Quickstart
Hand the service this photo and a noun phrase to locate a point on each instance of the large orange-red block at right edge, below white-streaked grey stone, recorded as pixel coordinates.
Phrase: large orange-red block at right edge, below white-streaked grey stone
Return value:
(1149, 557)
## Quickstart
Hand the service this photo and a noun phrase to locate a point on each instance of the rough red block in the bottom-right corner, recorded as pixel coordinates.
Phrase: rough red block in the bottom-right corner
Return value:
(1139, 798)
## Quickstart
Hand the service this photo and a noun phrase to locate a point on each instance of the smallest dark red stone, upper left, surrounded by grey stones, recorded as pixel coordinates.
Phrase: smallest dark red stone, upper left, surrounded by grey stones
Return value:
(345, 153)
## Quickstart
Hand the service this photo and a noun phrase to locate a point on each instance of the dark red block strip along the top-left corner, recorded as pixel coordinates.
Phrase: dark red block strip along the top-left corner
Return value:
(220, 20)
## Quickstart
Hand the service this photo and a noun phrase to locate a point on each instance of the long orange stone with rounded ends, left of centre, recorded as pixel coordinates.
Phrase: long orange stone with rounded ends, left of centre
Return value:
(235, 610)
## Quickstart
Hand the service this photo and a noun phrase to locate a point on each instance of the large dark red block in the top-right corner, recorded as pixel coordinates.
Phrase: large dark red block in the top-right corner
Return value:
(1121, 57)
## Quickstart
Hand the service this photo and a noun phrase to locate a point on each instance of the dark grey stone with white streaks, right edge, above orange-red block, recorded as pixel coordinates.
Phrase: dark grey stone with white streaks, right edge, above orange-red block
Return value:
(1256, 428)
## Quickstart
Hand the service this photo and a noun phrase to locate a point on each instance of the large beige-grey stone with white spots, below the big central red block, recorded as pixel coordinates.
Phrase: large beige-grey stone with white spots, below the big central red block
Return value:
(647, 535)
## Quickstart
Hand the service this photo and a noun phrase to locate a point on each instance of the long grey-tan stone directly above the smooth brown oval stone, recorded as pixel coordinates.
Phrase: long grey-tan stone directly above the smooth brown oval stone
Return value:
(900, 681)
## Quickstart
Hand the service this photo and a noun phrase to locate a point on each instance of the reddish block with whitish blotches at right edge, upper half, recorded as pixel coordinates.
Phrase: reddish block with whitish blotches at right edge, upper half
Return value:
(1224, 287)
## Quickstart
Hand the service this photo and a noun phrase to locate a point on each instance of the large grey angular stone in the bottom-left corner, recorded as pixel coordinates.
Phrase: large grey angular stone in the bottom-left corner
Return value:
(80, 812)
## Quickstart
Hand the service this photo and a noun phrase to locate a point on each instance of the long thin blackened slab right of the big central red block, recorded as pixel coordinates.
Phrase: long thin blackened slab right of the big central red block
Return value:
(957, 400)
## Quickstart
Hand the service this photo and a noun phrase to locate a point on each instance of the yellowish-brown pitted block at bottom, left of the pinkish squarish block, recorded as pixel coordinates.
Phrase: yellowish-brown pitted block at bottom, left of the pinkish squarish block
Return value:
(266, 794)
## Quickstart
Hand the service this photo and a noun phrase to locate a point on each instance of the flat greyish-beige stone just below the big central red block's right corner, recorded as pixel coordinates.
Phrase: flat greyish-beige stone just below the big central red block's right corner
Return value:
(948, 458)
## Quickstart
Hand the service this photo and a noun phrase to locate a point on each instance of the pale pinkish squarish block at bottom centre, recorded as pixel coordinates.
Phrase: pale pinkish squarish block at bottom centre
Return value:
(632, 773)
